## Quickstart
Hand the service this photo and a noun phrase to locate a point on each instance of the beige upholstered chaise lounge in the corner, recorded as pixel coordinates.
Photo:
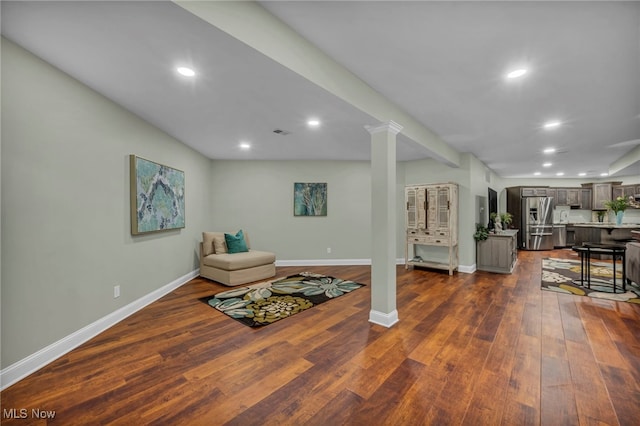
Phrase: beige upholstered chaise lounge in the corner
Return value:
(233, 268)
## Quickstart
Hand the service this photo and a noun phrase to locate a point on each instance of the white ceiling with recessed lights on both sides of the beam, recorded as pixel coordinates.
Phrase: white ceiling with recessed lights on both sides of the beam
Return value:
(442, 62)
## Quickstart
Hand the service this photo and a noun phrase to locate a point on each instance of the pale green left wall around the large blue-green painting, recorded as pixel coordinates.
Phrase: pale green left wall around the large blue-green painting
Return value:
(65, 206)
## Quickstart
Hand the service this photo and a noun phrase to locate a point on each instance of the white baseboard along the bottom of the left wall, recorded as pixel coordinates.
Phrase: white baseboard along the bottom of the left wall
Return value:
(21, 369)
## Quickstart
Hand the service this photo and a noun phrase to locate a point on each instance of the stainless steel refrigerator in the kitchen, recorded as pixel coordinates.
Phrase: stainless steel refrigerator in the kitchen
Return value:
(537, 223)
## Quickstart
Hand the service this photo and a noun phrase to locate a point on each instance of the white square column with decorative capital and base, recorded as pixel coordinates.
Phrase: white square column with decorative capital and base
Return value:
(383, 223)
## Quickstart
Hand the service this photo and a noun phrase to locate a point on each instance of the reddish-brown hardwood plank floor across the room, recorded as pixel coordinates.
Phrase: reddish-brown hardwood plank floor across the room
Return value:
(474, 349)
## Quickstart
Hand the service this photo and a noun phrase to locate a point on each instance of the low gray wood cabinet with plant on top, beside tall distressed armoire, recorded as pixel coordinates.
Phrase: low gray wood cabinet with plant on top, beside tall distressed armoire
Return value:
(498, 253)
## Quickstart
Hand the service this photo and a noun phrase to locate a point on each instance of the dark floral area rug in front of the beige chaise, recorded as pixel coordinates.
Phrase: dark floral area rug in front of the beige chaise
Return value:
(270, 301)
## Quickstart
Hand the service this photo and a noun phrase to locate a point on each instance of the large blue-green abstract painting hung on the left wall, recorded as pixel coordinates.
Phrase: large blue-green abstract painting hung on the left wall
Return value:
(157, 196)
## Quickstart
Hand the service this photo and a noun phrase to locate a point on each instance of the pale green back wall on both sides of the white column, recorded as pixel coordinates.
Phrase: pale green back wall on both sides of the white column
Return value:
(267, 187)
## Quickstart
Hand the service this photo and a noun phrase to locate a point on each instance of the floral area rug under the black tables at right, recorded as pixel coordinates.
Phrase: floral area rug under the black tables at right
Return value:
(563, 275)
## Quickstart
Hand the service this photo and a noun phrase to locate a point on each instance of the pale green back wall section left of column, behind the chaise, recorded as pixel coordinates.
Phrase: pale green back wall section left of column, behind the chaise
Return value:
(258, 196)
